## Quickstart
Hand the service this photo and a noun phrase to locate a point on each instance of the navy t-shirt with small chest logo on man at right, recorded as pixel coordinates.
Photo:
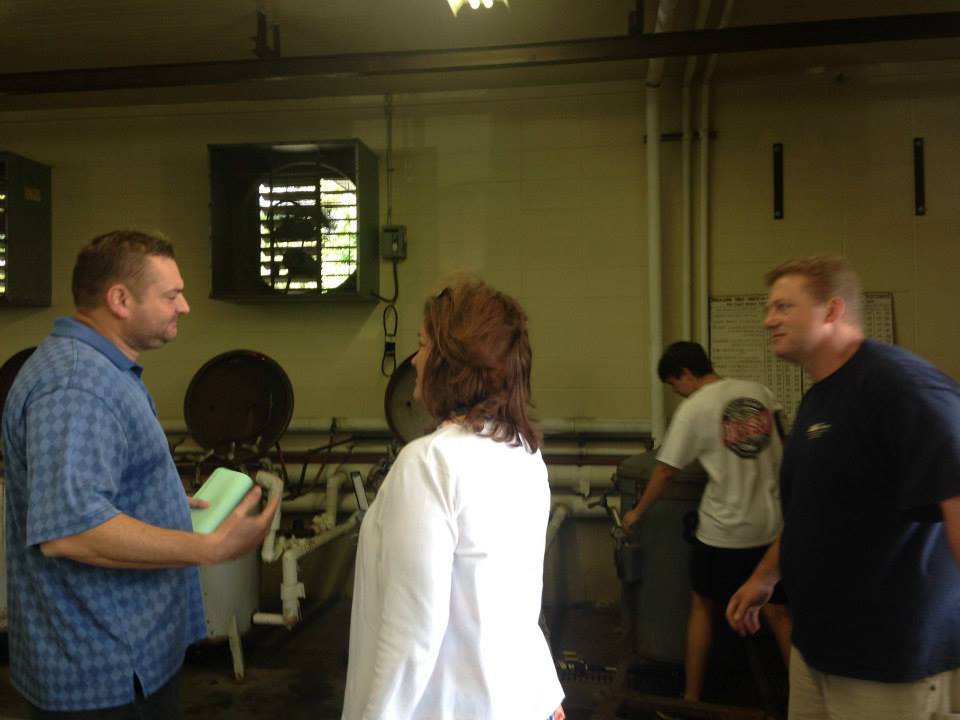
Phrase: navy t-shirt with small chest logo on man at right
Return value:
(873, 585)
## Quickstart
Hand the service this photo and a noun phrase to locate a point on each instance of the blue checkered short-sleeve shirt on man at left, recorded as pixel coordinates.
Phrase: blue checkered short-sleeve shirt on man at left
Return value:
(81, 444)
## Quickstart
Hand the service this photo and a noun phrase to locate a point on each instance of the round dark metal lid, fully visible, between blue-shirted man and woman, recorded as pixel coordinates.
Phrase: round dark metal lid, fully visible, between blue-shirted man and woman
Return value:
(239, 404)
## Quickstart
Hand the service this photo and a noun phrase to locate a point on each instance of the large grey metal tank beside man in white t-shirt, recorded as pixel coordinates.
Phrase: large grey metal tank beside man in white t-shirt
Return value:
(655, 564)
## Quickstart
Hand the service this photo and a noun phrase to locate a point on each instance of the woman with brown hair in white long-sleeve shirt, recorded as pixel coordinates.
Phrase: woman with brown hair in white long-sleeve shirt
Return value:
(449, 568)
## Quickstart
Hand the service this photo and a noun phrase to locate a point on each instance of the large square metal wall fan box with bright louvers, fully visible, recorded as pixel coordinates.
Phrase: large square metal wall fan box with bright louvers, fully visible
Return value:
(293, 222)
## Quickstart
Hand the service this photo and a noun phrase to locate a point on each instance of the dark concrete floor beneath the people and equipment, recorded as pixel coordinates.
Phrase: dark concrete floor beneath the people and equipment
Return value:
(300, 674)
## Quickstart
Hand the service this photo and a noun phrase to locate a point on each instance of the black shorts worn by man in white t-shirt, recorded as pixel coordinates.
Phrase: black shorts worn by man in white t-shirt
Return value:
(717, 573)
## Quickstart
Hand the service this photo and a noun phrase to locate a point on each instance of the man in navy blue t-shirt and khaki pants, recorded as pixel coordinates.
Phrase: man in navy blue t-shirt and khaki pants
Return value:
(870, 549)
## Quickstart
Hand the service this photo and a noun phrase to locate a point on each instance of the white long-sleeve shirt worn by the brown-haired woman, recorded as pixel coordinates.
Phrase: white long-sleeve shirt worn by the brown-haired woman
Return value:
(448, 584)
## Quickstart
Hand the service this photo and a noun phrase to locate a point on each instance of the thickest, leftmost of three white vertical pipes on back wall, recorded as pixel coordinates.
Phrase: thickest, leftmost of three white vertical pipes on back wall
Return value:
(654, 239)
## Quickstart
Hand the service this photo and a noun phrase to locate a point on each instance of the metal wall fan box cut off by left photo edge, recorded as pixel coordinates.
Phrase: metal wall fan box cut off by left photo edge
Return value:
(25, 232)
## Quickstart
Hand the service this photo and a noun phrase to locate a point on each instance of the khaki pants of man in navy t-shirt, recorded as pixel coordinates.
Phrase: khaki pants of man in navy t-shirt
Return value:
(817, 696)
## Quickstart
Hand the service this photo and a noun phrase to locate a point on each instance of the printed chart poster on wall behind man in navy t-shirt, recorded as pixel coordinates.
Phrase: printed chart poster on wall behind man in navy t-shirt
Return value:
(740, 346)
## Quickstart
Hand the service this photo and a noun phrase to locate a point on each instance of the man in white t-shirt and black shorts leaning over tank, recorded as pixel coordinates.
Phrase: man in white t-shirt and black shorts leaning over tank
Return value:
(733, 428)
